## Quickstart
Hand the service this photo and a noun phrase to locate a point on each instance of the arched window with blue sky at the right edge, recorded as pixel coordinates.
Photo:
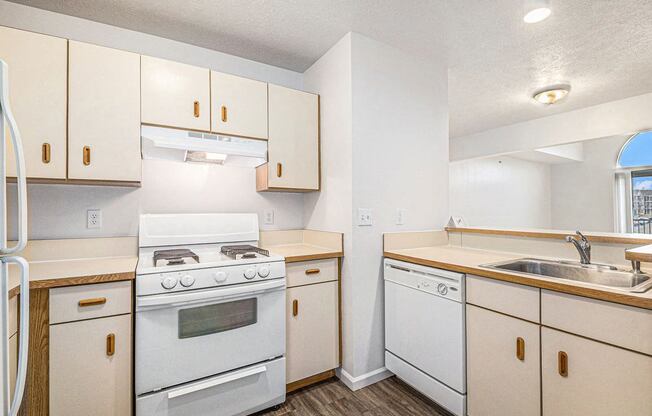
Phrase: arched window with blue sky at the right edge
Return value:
(635, 161)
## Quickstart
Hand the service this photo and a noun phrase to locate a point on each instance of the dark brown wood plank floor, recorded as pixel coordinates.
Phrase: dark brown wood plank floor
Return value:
(390, 397)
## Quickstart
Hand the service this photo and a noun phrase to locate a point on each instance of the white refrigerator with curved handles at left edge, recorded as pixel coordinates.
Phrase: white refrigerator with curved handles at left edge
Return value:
(8, 254)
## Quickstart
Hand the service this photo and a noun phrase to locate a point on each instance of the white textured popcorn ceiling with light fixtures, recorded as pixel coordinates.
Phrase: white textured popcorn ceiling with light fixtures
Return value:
(602, 47)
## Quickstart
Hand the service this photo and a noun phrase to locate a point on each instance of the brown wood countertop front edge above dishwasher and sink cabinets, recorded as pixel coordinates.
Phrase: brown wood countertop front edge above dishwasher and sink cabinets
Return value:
(621, 298)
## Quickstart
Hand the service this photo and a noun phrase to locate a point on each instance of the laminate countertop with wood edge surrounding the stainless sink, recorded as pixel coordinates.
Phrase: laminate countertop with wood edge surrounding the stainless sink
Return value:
(469, 260)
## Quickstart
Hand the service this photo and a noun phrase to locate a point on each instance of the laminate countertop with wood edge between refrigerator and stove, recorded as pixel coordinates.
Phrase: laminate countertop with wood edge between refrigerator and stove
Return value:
(69, 272)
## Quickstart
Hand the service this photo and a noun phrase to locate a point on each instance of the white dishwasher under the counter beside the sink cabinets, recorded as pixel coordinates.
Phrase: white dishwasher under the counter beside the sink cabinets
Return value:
(425, 343)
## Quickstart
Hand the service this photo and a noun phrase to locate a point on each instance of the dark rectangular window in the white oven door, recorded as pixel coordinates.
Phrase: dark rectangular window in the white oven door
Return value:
(211, 319)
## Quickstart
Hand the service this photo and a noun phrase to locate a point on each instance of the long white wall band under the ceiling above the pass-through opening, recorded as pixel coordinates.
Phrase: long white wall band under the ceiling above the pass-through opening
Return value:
(605, 120)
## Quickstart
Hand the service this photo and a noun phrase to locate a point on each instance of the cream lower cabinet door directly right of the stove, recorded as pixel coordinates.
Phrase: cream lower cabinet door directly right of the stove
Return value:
(312, 345)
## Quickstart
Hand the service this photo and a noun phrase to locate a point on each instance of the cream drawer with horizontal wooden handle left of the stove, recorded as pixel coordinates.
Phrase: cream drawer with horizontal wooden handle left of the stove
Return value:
(75, 303)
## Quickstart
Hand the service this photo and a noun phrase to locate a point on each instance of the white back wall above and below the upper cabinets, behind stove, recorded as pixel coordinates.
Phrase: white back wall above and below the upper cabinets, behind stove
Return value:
(60, 211)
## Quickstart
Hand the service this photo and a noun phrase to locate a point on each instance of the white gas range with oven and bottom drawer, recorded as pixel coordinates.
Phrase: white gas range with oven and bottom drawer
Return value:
(210, 317)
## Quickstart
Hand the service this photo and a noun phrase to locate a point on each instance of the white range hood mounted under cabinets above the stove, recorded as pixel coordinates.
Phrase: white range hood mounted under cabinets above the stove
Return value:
(191, 146)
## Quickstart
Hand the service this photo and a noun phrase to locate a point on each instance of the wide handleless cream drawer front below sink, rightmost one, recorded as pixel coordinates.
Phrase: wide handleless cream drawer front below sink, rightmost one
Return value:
(621, 325)
